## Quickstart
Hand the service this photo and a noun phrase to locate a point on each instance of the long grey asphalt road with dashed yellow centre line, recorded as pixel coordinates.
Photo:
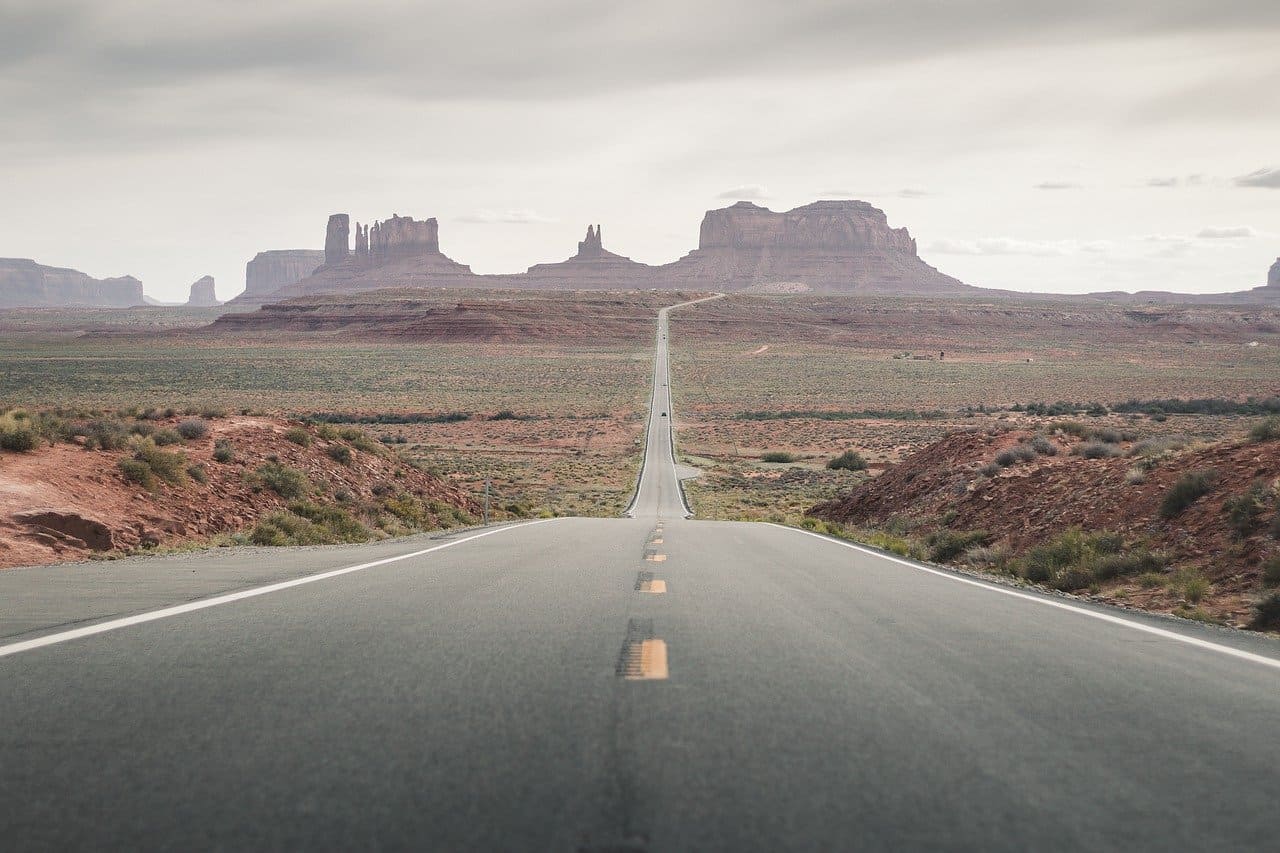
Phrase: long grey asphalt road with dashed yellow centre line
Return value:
(650, 683)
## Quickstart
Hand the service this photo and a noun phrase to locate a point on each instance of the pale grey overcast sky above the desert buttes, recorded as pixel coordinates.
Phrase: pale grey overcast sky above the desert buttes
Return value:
(1026, 144)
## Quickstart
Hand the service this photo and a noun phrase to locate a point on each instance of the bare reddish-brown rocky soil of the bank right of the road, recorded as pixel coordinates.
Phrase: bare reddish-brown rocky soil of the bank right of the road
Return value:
(1030, 503)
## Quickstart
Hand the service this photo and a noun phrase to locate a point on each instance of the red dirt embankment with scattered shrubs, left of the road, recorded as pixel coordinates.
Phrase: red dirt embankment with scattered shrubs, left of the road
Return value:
(65, 503)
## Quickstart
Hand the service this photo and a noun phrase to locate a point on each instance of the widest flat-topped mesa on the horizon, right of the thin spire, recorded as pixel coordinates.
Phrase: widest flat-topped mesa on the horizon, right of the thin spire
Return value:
(843, 247)
